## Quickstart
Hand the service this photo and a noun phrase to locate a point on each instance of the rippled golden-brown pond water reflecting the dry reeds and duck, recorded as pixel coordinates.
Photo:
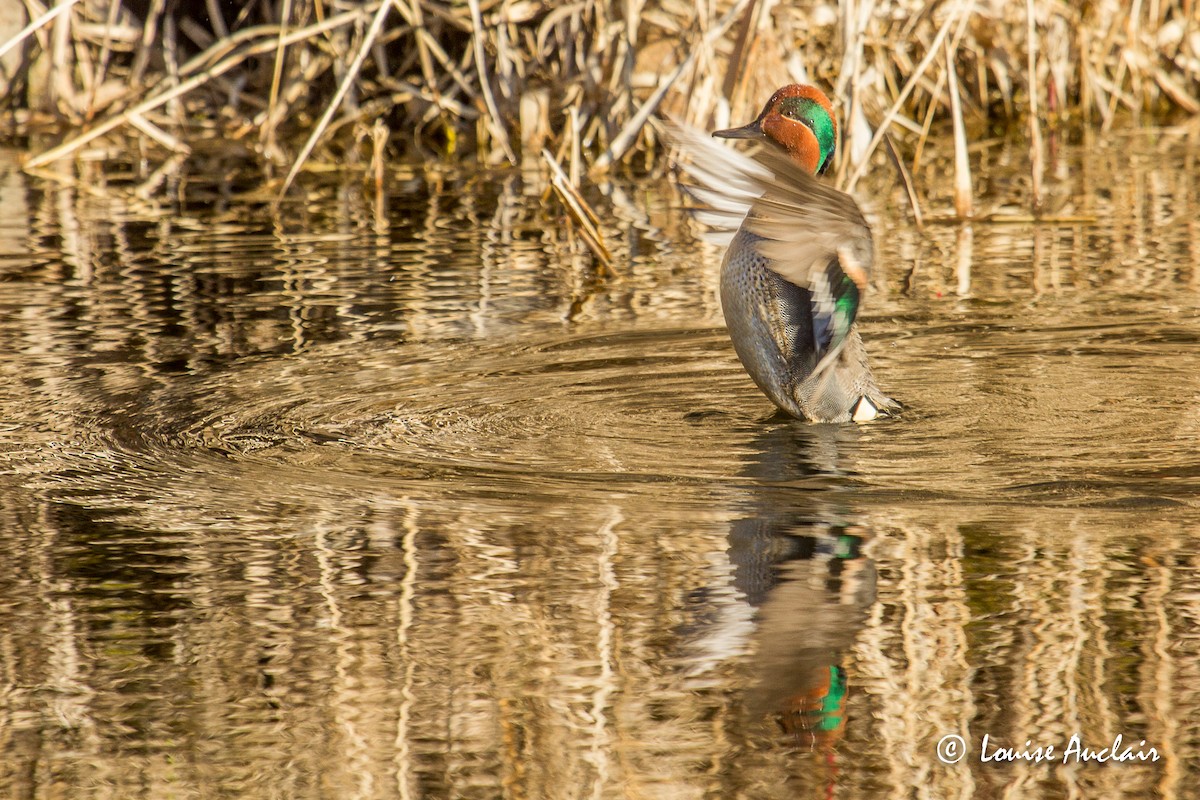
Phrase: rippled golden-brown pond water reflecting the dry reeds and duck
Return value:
(315, 507)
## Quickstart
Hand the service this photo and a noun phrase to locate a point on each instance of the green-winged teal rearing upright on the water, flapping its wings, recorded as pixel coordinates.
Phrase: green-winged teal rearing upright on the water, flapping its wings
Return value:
(800, 258)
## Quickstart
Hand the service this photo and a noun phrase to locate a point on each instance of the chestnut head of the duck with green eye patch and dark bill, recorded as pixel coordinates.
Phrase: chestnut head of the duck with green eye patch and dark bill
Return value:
(799, 119)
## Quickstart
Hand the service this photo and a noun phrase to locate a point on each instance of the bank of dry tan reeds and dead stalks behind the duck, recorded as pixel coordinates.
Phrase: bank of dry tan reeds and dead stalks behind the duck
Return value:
(301, 85)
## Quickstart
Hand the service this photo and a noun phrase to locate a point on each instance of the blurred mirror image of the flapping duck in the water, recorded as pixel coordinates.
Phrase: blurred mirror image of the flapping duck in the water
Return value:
(802, 587)
